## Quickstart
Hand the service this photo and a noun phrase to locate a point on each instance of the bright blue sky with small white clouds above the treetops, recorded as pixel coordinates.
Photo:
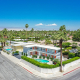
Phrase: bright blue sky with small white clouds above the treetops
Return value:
(40, 14)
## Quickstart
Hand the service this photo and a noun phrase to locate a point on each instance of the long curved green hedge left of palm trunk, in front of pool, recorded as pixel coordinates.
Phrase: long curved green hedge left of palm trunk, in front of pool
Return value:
(42, 65)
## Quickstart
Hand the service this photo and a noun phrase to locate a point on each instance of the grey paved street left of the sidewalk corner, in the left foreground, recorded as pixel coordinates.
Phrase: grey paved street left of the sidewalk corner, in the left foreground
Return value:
(11, 71)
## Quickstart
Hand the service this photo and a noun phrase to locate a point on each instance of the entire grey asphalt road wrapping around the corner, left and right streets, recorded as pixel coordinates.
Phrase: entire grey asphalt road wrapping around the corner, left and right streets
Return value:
(12, 71)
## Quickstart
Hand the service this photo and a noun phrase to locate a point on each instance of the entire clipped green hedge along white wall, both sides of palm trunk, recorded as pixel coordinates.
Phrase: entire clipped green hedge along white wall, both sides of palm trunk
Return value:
(44, 65)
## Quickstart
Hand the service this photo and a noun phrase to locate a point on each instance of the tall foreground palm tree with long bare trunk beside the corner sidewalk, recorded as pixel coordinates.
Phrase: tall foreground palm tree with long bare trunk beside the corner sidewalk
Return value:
(61, 36)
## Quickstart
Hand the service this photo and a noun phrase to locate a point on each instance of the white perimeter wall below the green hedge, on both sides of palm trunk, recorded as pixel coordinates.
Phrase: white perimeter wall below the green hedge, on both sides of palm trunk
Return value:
(53, 70)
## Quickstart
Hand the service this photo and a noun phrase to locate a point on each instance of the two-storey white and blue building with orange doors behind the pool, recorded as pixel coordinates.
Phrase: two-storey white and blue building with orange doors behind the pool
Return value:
(42, 50)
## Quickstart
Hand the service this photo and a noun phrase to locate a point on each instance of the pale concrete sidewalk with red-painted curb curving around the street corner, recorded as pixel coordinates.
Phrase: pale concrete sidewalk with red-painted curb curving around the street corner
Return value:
(36, 73)
